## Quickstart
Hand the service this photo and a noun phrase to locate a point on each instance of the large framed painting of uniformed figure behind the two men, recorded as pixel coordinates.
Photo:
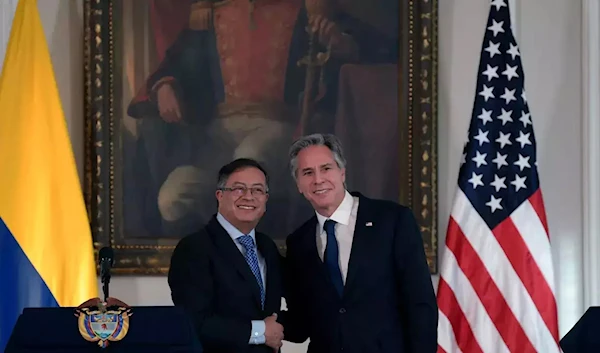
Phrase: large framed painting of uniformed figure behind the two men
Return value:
(174, 89)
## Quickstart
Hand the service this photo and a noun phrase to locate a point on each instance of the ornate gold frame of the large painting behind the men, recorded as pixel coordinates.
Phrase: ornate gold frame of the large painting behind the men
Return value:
(416, 142)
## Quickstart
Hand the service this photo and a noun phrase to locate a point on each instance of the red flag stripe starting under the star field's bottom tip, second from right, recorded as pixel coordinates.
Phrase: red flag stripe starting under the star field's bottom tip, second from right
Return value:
(528, 271)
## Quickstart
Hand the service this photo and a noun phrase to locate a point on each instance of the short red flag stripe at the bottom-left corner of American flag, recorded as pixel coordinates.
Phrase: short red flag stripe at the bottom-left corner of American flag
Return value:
(448, 305)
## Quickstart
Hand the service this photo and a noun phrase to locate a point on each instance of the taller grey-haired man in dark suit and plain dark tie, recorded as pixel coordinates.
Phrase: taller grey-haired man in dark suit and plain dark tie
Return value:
(358, 278)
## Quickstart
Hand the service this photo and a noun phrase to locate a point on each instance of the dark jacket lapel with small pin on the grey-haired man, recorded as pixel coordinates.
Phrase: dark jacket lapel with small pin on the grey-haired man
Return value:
(360, 242)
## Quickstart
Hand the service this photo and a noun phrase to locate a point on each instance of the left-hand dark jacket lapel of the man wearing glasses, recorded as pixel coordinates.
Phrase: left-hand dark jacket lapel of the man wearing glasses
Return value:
(227, 247)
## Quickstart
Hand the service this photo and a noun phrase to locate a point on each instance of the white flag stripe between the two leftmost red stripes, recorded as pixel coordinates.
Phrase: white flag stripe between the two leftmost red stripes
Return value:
(483, 328)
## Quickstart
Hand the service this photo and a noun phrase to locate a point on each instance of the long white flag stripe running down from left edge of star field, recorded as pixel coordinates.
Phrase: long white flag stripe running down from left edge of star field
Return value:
(502, 273)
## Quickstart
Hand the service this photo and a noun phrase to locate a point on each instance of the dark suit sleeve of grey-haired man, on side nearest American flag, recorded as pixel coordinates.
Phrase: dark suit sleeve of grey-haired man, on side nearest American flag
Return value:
(417, 294)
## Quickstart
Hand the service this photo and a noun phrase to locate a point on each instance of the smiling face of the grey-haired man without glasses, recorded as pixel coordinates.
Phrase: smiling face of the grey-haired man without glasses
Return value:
(320, 179)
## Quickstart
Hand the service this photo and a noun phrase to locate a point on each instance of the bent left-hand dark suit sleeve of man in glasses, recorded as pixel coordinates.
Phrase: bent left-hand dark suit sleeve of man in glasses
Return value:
(190, 280)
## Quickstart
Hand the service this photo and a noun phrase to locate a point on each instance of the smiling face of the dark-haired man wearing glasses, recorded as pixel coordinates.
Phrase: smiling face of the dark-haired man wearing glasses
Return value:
(243, 199)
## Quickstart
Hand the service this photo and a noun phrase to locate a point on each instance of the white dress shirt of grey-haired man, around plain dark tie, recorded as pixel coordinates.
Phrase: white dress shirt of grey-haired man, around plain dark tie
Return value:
(345, 218)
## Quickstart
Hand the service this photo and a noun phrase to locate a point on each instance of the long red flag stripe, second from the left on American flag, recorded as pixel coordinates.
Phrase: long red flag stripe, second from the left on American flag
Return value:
(492, 299)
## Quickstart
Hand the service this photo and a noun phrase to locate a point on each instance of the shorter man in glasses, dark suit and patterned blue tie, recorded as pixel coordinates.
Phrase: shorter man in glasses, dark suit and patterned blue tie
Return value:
(227, 275)
